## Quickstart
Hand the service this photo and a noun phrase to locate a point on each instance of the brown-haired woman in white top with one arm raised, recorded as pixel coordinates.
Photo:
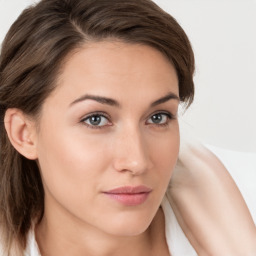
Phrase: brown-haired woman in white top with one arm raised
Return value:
(89, 96)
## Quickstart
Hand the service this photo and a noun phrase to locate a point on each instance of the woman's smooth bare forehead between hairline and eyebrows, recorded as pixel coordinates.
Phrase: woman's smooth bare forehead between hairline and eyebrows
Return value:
(116, 69)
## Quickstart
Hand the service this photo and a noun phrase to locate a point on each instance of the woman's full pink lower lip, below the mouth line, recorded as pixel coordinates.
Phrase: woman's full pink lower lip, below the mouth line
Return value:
(129, 199)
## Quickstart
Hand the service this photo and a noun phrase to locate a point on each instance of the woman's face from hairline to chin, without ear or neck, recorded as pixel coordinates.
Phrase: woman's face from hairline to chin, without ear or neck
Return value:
(109, 137)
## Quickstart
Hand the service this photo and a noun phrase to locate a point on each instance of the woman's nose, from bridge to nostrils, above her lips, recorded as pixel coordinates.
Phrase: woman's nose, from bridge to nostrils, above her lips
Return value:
(131, 153)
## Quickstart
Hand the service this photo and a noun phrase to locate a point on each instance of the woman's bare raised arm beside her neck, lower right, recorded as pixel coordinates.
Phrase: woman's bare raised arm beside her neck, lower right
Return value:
(209, 206)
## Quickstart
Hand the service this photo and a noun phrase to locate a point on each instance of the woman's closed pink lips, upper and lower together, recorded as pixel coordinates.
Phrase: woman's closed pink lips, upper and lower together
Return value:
(128, 195)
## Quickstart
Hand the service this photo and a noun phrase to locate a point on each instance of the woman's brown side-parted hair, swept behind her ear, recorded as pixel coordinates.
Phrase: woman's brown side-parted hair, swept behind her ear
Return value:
(31, 57)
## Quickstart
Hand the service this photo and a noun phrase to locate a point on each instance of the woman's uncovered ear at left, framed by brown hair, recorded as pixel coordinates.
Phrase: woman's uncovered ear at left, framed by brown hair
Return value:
(21, 131)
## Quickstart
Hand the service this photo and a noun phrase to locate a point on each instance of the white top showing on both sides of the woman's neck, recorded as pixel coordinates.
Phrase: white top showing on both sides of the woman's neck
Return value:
(176, 240)
